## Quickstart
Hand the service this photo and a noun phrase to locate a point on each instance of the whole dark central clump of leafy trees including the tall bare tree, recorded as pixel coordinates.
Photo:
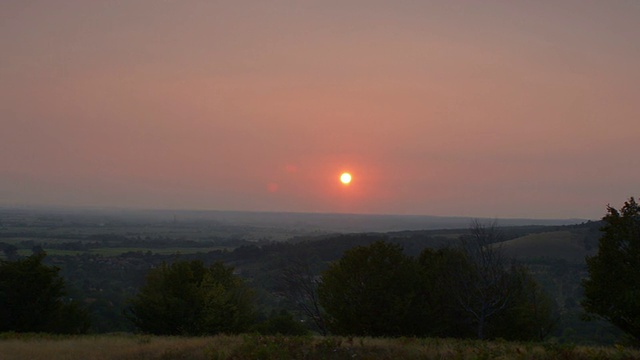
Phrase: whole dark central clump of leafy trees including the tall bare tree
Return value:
(377, 290)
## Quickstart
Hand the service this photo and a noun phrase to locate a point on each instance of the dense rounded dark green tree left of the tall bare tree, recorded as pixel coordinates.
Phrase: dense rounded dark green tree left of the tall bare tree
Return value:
(370, 291)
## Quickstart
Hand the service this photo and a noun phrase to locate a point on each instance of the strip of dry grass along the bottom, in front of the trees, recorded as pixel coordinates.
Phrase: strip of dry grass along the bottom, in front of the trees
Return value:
(19, 346)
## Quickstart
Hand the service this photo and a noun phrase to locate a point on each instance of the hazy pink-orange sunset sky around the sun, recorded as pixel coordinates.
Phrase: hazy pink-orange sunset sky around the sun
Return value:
(454, 108)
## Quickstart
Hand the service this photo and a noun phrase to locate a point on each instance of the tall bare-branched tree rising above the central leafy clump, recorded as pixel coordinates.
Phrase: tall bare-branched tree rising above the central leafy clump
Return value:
(486, 285)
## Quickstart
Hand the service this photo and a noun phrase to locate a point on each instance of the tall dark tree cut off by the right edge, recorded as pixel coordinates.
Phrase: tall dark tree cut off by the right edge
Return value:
(612, 290)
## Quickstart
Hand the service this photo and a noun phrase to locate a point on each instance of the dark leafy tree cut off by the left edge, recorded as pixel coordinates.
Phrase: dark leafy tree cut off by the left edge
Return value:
(32, 299)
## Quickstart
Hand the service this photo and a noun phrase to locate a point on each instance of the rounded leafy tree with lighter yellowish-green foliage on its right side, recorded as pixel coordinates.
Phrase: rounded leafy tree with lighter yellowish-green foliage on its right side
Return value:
(186, 298)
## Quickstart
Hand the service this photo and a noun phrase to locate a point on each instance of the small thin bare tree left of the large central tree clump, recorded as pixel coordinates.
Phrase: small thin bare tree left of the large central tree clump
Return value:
(300, 285)
